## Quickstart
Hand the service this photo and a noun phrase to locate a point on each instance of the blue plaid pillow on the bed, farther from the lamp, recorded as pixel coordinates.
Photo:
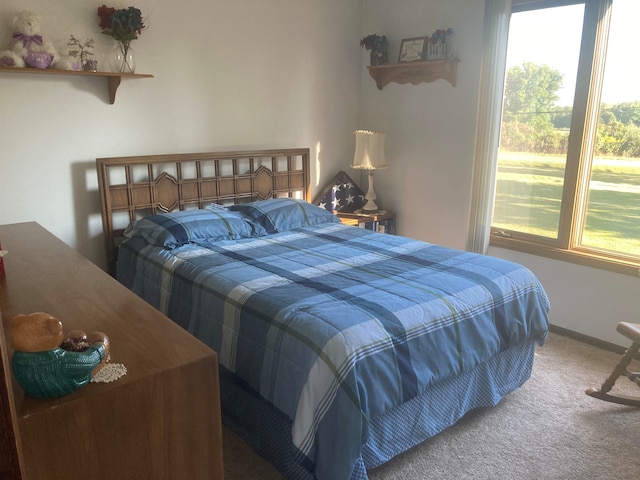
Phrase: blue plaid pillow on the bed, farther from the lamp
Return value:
(179, 228)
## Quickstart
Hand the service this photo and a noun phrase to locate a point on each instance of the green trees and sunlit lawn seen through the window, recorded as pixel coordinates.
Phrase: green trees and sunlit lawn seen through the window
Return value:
(532, 159)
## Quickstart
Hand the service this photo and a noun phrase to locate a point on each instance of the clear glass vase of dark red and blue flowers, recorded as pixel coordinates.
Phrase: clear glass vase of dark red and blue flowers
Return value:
(123, 26)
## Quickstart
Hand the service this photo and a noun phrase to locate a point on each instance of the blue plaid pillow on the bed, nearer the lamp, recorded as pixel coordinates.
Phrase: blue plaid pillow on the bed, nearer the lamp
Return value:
(282, 214)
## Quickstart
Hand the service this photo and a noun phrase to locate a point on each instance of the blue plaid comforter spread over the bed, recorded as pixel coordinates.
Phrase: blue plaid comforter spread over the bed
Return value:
(334, 325)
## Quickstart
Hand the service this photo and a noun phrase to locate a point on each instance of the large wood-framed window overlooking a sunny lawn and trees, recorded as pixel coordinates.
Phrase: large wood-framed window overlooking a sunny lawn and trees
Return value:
(568, 176)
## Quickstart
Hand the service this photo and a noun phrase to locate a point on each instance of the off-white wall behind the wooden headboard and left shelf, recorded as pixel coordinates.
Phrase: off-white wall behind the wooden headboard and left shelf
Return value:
(228, 75)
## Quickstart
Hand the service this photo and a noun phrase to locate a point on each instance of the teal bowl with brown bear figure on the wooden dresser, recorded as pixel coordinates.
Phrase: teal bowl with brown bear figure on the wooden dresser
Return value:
(45, 365)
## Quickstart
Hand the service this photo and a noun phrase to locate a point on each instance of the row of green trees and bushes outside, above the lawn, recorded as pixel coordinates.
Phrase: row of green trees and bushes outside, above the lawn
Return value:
(533, 122)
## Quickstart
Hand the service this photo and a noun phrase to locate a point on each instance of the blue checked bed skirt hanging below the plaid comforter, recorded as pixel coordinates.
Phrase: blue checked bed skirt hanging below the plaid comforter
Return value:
(268, 432)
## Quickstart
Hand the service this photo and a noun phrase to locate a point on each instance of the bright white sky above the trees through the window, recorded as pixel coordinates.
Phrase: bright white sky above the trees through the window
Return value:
(552, 37)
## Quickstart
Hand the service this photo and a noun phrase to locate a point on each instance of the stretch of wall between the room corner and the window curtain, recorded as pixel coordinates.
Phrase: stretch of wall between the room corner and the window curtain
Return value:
(431, 126)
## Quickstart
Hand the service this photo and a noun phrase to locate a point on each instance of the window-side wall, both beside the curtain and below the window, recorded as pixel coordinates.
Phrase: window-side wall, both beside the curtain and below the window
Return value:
(430, 144)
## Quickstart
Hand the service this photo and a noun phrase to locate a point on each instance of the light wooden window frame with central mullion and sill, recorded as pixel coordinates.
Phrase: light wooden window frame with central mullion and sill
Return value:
(585, 114)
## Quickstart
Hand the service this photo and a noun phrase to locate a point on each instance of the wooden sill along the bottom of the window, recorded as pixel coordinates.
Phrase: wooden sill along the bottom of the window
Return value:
(580, 257)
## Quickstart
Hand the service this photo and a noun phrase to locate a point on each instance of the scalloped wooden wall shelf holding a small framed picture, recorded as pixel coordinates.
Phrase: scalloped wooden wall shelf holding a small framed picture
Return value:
(415, 72)
